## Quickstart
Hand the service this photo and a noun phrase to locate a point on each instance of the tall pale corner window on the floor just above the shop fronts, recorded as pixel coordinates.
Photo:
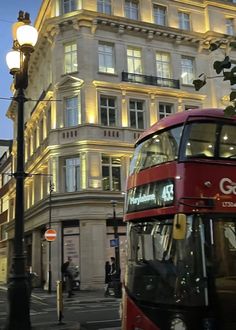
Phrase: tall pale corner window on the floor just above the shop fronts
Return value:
(72, 174)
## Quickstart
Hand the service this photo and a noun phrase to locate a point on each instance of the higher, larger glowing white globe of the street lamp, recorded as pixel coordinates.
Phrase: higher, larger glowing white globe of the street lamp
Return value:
(27, 36)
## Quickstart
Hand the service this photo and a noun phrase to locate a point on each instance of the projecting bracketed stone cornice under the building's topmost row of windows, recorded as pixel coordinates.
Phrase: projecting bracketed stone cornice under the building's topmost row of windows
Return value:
(122, 25)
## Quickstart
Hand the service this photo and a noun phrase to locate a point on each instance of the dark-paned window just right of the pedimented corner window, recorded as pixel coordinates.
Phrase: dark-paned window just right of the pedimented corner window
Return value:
(108, 110)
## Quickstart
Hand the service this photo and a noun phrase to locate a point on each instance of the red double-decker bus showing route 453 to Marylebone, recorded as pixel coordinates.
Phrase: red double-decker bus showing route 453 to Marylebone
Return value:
(181, 219)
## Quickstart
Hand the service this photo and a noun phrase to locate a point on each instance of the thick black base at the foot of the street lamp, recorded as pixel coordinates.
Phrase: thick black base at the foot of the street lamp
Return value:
(19, 304)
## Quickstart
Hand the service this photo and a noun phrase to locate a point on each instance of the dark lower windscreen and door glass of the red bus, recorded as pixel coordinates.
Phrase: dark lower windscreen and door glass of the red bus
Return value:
(162, 270)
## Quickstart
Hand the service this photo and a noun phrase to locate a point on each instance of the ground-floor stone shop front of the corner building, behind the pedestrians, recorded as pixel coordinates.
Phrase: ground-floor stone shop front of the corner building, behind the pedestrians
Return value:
(89, 242)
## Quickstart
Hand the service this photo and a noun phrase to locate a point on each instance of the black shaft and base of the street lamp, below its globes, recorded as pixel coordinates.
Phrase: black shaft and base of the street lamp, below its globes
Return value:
(18, 288)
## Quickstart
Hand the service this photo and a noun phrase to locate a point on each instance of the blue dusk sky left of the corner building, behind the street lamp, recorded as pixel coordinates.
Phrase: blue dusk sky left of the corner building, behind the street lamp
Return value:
(9, 10)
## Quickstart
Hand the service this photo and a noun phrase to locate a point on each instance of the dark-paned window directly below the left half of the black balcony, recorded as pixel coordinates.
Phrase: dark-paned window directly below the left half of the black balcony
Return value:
(136, 114)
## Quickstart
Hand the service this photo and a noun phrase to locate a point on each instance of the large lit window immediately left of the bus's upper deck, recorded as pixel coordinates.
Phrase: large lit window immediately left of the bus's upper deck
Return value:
(111, 174)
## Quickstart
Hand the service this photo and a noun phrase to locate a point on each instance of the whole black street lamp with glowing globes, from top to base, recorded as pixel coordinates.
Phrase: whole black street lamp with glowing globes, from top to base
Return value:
(24, 40)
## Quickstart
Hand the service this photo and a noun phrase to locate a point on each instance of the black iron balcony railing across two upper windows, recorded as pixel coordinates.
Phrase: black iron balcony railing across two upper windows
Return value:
(150, 80)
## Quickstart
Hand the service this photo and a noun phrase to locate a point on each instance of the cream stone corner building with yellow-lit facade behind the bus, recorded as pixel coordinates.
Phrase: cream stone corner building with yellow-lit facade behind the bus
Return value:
(102, 72)
